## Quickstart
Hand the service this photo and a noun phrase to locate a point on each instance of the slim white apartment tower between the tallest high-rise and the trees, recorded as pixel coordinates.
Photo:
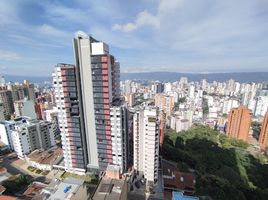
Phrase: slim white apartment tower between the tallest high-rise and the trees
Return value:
(146, 143)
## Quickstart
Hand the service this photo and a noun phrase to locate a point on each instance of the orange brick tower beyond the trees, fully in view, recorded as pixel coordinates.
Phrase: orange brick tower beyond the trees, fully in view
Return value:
(239, 121)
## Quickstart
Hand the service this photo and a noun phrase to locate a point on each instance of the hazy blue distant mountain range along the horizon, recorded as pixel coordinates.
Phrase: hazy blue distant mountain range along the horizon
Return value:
(166, 76)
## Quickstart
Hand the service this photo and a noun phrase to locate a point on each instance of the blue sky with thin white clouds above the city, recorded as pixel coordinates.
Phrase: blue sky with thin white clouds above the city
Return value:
(144, 35)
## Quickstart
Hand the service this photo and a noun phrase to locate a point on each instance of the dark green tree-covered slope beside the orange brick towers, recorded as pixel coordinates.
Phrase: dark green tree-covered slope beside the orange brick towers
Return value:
(223, 167)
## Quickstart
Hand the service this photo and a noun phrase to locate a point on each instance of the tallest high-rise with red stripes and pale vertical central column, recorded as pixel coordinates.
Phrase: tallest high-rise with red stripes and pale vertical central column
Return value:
(85, 94)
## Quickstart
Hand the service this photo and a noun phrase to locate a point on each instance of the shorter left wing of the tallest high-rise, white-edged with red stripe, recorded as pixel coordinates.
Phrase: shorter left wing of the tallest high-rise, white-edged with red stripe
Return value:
(68, 116)
